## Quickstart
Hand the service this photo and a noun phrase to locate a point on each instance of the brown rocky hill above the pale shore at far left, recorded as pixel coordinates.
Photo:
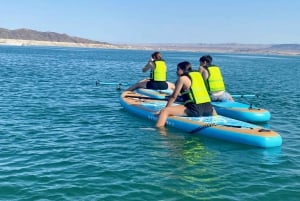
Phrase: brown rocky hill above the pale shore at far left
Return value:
(28, 34)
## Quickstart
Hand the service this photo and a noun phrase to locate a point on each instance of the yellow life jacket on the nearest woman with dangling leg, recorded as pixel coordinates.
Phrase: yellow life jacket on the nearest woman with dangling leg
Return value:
(198, 93)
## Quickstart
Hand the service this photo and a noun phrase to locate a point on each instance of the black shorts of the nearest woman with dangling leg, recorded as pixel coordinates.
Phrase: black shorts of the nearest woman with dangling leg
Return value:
(198, 110)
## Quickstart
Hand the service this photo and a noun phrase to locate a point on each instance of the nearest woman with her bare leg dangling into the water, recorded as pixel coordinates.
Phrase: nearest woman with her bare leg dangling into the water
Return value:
(191, 86)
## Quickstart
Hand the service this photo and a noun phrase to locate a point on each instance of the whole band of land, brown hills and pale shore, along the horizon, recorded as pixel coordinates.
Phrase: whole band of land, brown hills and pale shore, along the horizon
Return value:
(28, 37)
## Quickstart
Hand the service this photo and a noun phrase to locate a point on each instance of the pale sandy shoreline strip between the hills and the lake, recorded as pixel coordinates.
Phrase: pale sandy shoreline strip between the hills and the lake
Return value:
(209, 48)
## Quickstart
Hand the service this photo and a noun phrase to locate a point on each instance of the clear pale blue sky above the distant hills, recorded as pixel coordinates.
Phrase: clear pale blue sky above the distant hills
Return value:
(159, 21)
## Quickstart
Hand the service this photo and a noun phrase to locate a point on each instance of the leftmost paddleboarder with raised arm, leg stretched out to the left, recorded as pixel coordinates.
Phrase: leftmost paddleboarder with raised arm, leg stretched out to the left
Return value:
(158, 75)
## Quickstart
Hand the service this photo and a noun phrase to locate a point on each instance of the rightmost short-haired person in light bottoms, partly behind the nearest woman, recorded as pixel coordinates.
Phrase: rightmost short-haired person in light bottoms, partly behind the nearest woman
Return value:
(214, 80)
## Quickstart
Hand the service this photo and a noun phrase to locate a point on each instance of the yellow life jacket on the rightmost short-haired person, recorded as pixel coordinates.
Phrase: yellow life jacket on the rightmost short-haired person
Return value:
(215, 79)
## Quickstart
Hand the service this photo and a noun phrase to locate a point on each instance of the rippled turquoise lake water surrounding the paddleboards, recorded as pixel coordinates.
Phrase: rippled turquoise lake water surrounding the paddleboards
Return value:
(64, 138)
